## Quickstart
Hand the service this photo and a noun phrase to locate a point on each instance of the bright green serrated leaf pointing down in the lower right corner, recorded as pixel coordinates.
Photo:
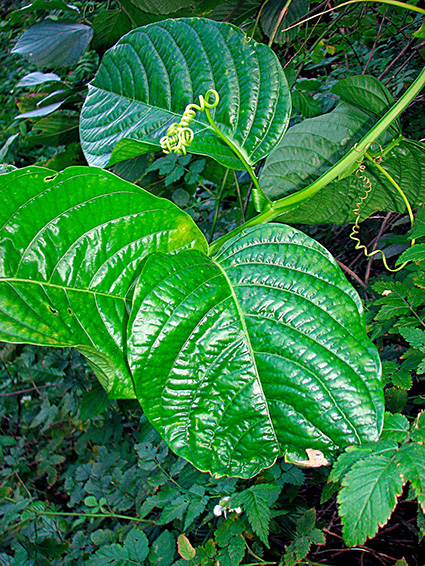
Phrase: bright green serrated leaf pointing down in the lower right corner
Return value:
(368, 496)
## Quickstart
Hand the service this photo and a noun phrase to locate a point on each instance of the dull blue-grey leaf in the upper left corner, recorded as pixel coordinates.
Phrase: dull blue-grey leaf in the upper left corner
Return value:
(54, 44)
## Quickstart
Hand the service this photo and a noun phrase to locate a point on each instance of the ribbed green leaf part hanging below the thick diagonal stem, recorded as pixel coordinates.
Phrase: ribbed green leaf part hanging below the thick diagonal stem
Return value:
(337, 201)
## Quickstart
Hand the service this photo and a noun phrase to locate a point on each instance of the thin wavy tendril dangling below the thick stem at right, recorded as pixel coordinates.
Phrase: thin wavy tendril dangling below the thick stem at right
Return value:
(360, 174)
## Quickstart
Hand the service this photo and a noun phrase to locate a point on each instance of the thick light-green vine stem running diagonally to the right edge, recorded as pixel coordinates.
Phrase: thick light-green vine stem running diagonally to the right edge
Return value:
(275, 209)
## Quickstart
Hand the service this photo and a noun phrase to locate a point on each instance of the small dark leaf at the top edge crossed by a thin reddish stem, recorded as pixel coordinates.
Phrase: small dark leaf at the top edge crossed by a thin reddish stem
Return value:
(273, 23)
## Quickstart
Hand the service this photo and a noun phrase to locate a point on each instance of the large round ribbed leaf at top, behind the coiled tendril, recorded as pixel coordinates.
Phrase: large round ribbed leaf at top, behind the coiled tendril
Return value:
(148, 78)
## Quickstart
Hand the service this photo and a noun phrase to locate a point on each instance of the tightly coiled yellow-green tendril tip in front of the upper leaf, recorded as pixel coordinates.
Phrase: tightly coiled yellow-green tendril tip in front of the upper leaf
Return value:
(179, 135)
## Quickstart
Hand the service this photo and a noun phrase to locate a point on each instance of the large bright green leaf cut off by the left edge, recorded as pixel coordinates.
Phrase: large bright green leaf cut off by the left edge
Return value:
(71, 245)
